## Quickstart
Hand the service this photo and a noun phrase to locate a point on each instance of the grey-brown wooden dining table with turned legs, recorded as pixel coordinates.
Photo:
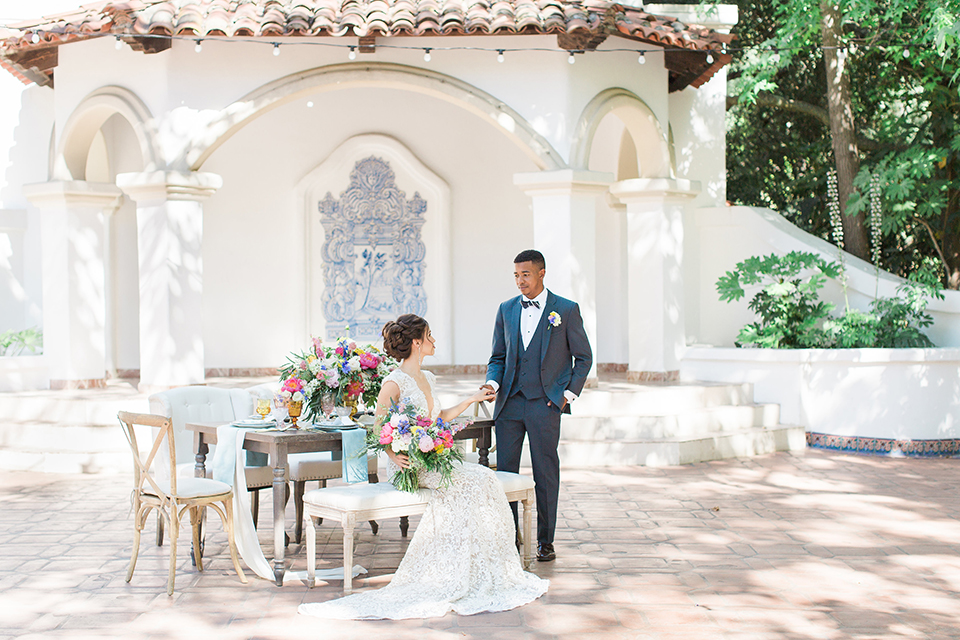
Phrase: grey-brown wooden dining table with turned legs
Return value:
(279, 444)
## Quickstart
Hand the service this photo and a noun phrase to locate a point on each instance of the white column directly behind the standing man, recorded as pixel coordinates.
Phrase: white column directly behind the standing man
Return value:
(565, 232)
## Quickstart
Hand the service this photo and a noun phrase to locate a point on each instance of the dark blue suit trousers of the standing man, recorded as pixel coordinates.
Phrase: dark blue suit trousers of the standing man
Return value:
(533, 418)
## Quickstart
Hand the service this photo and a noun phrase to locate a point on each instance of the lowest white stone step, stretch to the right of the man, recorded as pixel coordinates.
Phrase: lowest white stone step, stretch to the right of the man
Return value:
(661, 452)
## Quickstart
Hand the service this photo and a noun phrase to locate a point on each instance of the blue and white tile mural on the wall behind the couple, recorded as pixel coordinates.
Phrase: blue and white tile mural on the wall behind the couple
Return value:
(373, 255)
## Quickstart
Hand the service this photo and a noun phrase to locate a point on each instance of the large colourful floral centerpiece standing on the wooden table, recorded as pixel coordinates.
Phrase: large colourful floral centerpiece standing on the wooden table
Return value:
(348, 371)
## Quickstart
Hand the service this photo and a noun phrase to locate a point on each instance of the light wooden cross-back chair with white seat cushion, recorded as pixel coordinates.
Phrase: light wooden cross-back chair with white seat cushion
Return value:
(174, 496)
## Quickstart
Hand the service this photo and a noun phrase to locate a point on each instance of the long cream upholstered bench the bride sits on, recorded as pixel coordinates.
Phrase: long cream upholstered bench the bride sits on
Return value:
(355, 503)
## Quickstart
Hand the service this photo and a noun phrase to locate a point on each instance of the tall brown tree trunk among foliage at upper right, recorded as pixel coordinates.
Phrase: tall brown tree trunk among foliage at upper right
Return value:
(842, 132)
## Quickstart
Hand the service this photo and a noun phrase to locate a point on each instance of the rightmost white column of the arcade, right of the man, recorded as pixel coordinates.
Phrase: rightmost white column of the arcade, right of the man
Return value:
(654, 274)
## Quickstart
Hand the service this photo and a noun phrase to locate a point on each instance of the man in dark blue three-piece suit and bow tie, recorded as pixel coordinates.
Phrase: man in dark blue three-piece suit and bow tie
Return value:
(540, 360)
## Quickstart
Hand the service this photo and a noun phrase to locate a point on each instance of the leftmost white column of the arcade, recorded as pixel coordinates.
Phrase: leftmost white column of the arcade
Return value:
(73, 220)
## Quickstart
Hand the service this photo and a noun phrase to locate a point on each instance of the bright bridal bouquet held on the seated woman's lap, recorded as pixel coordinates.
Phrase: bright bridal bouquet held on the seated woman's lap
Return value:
(428, 444)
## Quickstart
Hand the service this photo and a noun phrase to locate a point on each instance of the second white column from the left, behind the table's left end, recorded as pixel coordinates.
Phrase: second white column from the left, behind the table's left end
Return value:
(169, 242)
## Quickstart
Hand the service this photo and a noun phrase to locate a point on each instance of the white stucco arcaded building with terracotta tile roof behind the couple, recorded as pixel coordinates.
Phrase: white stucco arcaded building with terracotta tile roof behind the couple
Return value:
(177, 170)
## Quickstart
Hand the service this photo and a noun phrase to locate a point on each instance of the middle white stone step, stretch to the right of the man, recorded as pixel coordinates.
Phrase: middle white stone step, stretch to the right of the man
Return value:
(679, 425)
